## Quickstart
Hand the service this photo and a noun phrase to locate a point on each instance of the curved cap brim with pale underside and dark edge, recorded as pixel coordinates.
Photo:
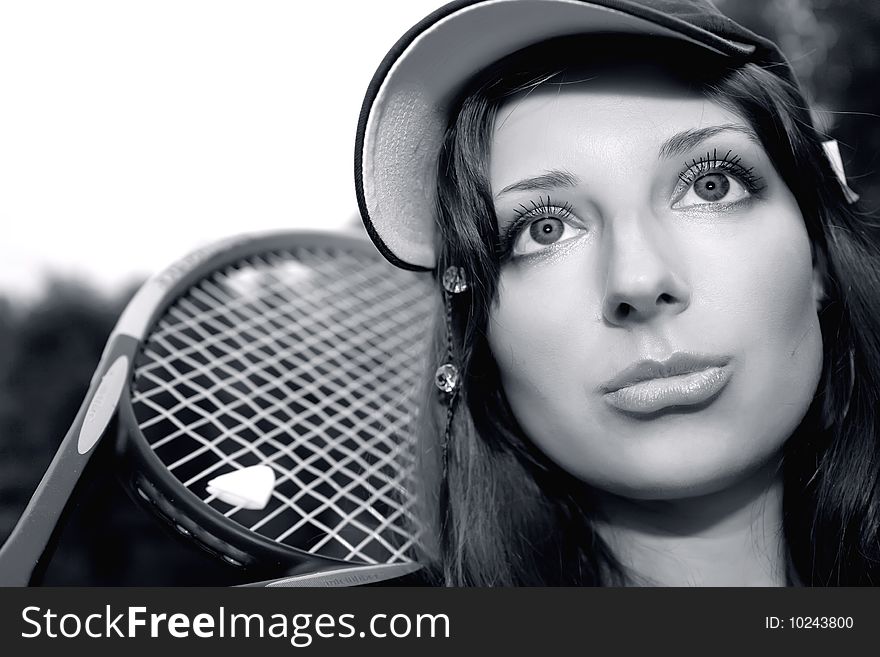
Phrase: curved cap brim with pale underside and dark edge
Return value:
(405, 112)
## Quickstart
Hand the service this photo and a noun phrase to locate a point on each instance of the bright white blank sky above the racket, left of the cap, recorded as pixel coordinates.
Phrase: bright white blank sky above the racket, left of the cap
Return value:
(134, 131)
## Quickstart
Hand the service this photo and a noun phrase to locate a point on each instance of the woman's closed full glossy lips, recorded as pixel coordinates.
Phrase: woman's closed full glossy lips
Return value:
(683, 379)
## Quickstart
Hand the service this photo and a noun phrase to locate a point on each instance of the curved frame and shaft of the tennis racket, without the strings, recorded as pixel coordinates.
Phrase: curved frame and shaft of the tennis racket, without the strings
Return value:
(147, 479)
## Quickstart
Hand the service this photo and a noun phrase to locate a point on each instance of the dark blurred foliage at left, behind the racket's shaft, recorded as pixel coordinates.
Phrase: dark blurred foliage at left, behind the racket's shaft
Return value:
(48, 352)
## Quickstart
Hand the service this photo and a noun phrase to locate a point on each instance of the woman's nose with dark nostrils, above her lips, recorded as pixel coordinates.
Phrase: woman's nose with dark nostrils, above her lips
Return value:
(643, 280)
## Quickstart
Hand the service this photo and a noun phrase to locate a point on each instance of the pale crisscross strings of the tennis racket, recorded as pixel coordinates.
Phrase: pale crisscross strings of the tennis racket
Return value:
(309, 362)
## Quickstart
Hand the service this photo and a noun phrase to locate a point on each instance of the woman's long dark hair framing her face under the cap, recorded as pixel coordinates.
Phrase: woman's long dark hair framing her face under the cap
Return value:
(498, 512)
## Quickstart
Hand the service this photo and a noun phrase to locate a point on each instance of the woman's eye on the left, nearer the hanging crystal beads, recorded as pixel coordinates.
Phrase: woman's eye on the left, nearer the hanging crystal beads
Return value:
(541, 227)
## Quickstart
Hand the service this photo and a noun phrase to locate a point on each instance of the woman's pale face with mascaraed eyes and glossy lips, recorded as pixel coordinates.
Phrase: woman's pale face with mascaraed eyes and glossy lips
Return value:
(656, 325)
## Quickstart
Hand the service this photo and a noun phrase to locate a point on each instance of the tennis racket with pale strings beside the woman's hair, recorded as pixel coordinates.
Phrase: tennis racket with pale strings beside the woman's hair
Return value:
(294, 356)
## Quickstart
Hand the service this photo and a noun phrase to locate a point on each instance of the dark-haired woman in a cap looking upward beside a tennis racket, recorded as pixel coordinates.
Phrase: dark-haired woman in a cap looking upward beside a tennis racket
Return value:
(656, 351)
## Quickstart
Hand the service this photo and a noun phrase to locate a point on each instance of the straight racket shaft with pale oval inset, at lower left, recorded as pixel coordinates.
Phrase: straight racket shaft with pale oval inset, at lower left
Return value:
(28, 544)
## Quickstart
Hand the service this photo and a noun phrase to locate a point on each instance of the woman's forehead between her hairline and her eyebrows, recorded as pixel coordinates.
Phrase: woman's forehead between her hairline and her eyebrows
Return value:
(604, 118)
